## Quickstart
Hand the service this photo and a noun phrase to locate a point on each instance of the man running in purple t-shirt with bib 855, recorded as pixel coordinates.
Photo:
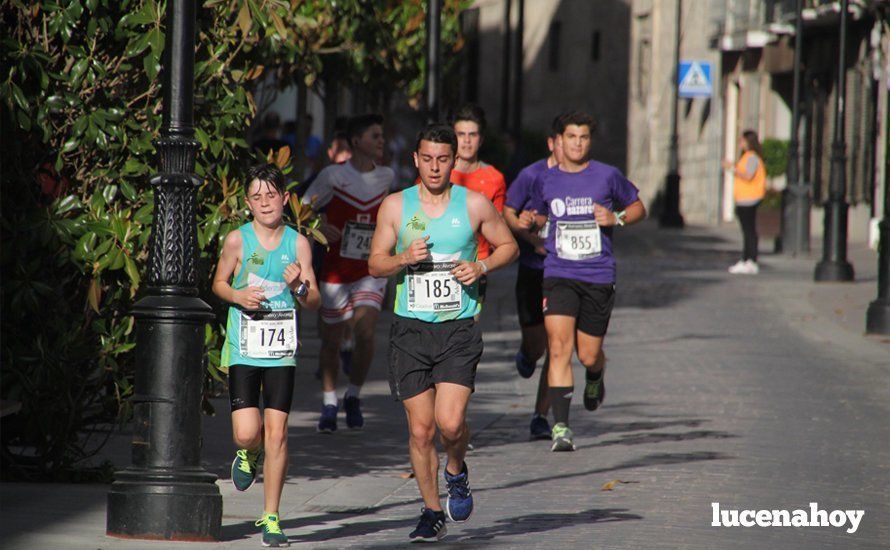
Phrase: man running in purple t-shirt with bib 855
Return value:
(584, 200)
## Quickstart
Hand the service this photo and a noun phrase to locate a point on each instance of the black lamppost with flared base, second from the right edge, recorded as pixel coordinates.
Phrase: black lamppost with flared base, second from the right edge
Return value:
(834, 265)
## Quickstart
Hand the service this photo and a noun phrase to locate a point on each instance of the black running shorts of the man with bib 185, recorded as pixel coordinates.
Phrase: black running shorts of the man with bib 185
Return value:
(422, 355)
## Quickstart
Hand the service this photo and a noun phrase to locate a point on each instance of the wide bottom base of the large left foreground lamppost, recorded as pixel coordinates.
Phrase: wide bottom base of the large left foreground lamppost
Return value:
(164, 505)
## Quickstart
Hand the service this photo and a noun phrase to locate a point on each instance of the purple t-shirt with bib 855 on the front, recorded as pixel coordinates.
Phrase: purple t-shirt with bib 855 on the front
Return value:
(584, 251)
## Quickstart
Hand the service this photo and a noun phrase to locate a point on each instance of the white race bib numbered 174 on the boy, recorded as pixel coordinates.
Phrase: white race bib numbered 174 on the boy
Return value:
(268, 334)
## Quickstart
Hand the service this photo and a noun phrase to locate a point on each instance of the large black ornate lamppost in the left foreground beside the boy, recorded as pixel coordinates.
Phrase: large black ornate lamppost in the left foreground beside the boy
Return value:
(165, 493)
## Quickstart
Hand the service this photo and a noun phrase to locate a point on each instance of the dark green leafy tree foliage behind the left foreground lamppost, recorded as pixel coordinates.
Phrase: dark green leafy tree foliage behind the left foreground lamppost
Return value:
(80, 108)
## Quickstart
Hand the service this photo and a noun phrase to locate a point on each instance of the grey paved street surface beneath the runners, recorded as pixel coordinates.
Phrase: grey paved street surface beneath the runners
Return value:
(753, 392)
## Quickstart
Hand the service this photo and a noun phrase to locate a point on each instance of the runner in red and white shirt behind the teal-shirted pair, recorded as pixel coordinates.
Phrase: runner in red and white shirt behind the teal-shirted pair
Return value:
(350, 193)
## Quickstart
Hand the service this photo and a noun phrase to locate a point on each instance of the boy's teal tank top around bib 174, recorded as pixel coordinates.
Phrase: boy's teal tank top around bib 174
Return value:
(262, 268)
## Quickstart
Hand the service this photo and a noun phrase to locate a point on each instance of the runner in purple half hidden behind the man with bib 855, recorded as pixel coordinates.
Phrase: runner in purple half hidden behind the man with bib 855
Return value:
(530, 276)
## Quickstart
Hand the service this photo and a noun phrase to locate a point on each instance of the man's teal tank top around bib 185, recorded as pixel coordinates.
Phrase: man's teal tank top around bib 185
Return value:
(428, 292)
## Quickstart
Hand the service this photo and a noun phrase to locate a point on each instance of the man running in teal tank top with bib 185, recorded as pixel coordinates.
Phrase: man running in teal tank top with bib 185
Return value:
(426, 236)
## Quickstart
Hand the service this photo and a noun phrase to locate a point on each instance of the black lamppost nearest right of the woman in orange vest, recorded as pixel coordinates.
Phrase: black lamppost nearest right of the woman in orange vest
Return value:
(796, 211)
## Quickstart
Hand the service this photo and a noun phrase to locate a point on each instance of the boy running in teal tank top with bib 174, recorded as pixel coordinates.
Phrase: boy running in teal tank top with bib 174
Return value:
(261, 264)
